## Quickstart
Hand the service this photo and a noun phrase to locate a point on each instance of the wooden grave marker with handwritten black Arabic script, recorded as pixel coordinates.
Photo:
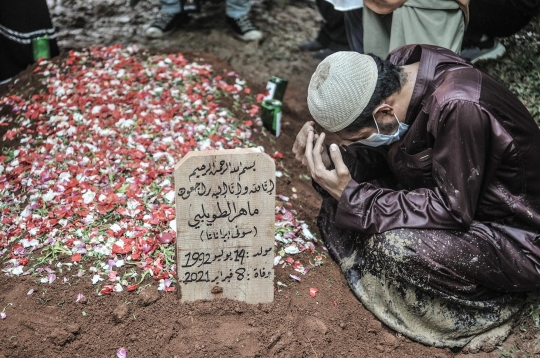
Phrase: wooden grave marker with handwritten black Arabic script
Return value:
(225, 202)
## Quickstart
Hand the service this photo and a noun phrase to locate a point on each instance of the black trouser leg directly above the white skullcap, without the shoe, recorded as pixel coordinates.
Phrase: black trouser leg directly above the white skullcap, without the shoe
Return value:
(332, 33)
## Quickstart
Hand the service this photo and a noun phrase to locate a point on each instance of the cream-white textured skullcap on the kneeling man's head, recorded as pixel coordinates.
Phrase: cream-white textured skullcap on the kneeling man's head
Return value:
(341, 88)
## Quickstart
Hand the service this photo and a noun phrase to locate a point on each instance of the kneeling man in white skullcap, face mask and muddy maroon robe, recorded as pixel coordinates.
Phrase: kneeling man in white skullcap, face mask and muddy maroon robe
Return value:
(432, 205)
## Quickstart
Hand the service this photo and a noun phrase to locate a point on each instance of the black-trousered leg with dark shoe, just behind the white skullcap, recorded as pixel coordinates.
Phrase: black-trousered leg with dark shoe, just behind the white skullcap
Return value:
(332, 36)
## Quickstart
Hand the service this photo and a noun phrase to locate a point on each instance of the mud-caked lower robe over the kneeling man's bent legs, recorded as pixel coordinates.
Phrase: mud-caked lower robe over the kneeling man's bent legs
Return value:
(420, 282)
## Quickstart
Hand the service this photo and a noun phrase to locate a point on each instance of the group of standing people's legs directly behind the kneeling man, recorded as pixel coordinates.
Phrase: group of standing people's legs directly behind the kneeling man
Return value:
(470, 28)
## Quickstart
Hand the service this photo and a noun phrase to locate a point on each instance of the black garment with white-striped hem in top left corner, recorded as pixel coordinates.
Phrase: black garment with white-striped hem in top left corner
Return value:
(20, 21)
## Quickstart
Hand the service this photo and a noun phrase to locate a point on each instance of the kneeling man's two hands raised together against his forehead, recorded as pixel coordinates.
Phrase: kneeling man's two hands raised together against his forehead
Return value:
(311, 154)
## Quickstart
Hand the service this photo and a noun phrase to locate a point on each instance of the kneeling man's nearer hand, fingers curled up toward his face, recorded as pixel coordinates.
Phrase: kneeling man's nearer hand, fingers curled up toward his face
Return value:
(333, 181)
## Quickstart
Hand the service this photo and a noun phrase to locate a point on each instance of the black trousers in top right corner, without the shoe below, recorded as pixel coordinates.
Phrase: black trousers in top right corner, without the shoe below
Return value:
(500, 18)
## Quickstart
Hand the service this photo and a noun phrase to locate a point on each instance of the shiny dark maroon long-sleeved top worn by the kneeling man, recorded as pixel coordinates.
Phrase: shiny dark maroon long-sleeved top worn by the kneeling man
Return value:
(471, 154)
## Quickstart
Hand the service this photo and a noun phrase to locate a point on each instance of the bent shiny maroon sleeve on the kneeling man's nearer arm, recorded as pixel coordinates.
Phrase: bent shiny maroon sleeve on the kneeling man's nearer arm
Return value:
(462, 134)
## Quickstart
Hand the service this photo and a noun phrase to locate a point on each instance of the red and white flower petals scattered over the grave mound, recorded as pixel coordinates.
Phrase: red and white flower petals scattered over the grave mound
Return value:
(88, 192)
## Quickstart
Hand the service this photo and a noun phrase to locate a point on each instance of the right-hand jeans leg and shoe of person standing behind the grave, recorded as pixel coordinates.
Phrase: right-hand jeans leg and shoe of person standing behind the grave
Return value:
(238, 18)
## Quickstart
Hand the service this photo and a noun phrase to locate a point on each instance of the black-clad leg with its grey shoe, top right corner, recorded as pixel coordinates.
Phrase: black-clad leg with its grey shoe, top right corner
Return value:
(490, 19)
